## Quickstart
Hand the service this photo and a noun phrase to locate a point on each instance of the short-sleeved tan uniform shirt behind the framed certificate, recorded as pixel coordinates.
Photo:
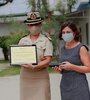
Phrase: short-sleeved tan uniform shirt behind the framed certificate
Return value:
(44, 45)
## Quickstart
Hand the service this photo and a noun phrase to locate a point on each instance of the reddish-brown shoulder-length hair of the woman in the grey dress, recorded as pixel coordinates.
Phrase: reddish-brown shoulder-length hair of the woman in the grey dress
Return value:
(73, 27)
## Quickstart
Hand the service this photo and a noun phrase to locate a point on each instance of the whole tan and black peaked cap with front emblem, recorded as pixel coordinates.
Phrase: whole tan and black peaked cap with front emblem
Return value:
(33, 18)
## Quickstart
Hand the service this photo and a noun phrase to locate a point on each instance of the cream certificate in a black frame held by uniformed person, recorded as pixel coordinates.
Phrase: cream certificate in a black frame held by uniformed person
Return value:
(26, 54)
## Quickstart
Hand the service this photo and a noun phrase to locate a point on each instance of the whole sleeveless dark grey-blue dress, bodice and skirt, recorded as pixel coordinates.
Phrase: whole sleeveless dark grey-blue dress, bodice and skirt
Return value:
(74, 85)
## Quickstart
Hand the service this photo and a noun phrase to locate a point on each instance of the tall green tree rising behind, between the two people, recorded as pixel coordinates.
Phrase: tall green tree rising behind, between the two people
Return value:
(51, 21)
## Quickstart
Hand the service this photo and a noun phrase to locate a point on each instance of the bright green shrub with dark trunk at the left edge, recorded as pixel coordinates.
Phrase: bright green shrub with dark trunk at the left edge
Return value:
(6, 41)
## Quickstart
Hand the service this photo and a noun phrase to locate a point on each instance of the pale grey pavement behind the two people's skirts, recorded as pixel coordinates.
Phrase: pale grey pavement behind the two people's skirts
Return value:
(9, 87)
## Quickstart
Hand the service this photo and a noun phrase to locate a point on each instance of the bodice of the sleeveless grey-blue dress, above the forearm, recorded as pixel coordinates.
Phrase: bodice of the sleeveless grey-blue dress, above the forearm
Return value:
(71, 55)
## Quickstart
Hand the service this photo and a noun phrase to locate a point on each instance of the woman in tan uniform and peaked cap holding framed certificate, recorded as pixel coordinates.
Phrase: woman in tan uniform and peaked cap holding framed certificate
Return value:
(34, 79)
